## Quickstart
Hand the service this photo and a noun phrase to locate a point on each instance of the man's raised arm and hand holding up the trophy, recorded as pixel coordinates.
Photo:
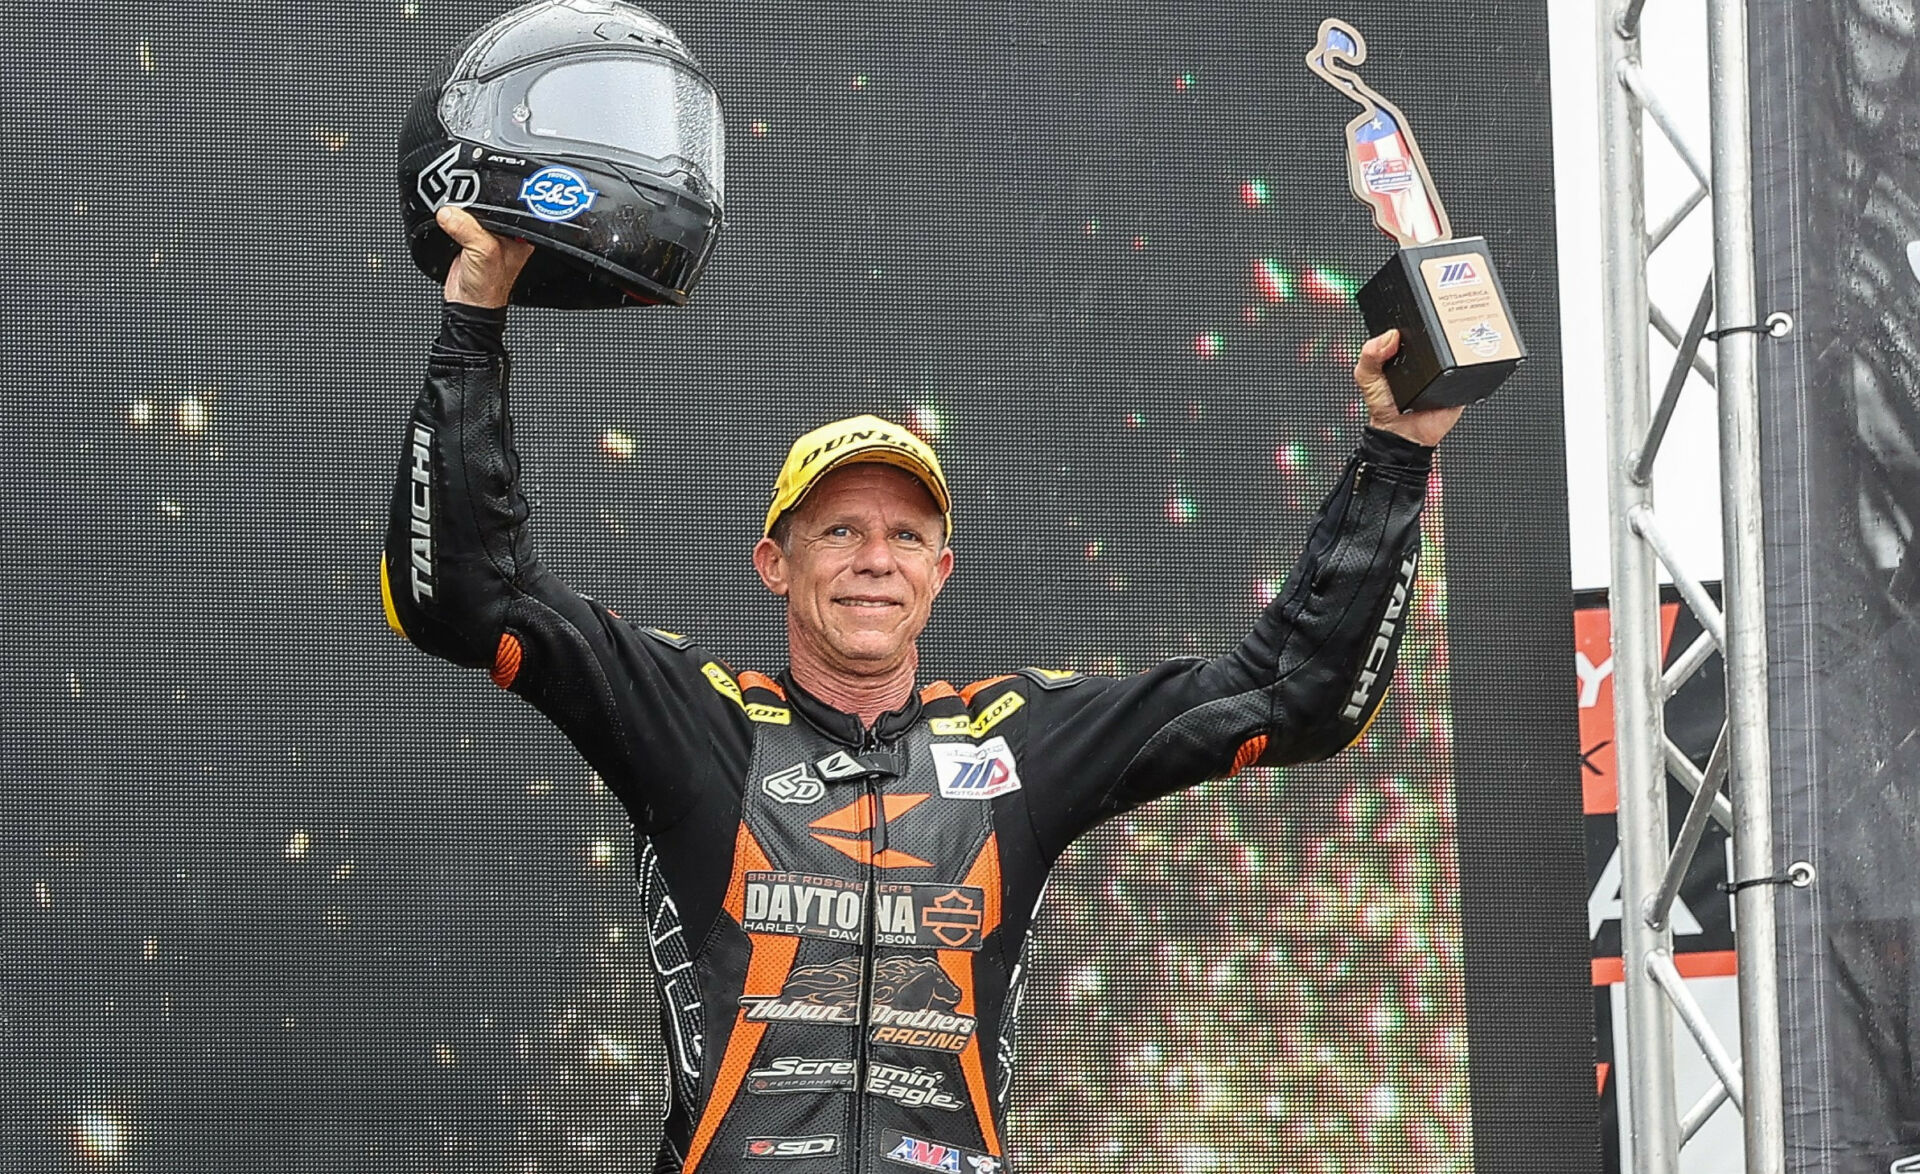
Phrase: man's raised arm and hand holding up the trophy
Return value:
(1301, 687)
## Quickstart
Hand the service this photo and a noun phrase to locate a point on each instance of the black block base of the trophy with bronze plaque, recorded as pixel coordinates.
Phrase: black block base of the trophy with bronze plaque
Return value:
(1456, 333)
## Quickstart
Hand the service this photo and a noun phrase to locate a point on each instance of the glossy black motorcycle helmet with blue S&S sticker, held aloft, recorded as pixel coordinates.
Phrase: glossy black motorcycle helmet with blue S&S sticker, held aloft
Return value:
(585, 128)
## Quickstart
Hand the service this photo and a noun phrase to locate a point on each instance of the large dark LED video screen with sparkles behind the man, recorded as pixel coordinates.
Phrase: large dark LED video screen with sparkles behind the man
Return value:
(279, 891)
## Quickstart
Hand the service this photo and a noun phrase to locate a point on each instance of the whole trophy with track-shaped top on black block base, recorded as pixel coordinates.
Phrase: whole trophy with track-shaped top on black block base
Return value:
(1441, 293)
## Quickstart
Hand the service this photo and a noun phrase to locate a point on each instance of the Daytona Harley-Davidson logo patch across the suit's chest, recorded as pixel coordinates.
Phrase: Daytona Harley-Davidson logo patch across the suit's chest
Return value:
(907, 916)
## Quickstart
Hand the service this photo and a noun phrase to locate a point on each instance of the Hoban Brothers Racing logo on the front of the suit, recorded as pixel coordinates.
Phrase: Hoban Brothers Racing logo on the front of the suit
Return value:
(913, 1002)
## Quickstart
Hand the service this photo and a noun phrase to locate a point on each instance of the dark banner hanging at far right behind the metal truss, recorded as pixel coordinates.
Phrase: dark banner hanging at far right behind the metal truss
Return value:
(1836, 145)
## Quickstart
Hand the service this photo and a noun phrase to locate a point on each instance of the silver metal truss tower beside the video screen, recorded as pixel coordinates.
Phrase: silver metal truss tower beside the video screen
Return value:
(1735, 789)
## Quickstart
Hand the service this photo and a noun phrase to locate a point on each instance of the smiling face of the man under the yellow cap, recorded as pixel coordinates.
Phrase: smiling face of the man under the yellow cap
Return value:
(865, 556)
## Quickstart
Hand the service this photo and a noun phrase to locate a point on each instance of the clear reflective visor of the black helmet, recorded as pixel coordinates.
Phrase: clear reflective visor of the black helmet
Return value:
(629, 105)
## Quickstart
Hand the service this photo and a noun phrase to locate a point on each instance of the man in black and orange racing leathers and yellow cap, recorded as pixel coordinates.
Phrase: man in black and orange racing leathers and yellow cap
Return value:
(846, 862)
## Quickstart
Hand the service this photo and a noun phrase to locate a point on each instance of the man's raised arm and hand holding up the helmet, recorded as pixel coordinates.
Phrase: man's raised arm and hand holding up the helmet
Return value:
(460, 577)
